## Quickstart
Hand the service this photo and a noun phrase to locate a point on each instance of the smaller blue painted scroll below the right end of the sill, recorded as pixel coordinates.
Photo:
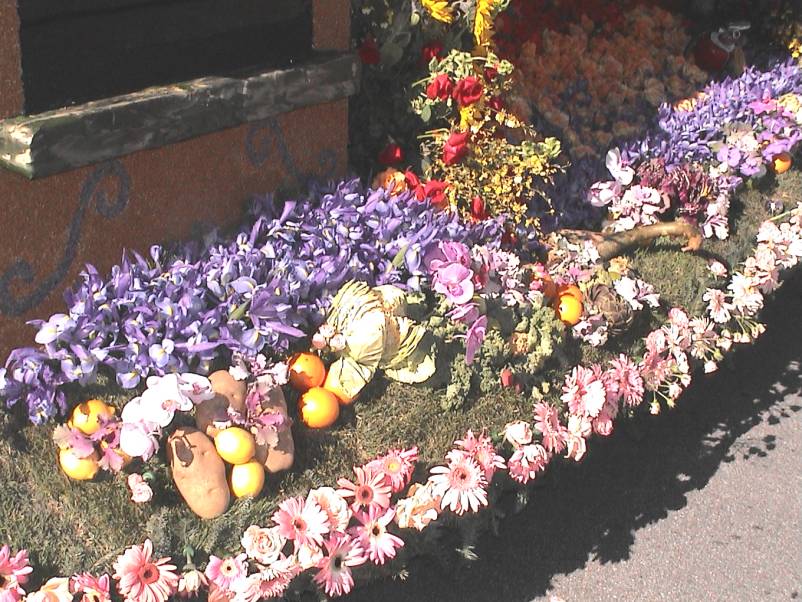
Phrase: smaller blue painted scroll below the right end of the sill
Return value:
(266, 136)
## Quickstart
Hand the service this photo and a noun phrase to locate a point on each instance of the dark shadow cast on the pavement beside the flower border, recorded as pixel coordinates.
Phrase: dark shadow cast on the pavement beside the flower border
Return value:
(633, 479)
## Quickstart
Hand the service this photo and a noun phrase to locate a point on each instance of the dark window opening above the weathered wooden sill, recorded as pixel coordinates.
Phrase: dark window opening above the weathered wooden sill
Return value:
(82, 50)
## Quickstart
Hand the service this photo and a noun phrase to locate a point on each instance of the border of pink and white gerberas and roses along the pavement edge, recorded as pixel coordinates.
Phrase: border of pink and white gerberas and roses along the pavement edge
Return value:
(332, 531)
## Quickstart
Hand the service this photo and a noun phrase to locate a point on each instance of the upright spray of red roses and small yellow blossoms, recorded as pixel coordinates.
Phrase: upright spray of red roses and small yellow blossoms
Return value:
(488, 174)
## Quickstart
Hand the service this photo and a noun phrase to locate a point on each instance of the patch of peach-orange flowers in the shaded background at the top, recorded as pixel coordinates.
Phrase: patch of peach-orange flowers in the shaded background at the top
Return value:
(602, 81)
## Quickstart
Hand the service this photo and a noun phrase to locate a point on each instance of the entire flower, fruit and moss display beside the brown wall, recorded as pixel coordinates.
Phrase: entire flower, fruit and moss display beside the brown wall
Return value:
(310, 398)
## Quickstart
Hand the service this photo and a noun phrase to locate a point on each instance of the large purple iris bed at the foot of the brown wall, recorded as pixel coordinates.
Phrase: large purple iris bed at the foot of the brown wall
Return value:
(177, 310)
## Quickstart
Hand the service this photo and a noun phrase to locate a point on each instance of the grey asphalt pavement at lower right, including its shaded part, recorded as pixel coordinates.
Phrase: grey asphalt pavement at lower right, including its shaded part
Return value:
(700, 503)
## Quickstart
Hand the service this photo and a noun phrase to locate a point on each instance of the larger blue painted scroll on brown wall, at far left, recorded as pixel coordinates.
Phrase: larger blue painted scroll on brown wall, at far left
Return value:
(21, 270)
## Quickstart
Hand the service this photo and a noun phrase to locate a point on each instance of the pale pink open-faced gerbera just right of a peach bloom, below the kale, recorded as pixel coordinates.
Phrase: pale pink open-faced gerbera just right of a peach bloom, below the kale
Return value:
(461, 484)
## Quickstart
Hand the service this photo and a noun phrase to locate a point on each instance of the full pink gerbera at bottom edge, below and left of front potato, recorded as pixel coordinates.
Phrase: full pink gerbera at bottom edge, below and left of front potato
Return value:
(142, 579)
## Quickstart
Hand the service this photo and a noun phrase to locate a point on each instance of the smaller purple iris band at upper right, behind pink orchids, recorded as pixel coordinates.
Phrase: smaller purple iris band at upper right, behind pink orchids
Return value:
(685, 135)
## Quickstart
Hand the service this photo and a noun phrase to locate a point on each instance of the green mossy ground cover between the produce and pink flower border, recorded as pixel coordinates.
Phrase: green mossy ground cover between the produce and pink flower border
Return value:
(70, 526)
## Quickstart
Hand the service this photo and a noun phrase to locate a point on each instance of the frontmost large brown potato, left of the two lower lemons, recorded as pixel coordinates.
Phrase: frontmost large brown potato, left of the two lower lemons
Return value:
(199, 473)
